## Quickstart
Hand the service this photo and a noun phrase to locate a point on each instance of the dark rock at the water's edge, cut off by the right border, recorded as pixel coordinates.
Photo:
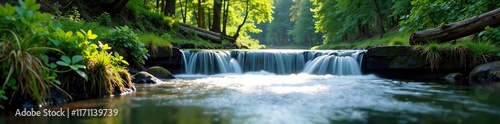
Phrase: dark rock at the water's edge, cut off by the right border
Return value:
(486, 73)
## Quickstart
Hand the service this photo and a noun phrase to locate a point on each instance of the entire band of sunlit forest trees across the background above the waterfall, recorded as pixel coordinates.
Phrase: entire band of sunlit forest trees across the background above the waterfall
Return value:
(275, 23)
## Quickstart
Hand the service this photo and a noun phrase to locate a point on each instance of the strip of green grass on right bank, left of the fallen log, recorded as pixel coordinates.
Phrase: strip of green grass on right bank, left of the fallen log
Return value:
(389, 39)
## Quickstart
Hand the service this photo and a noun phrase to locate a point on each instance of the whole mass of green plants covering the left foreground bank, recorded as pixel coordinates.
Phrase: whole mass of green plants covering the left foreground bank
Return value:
(30, 44)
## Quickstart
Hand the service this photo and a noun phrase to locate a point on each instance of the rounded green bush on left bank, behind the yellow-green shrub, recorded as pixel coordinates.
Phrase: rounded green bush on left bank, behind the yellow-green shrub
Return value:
(126, 42)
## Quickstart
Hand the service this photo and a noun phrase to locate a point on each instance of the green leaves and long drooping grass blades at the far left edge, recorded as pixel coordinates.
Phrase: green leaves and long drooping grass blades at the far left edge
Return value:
(22, 52)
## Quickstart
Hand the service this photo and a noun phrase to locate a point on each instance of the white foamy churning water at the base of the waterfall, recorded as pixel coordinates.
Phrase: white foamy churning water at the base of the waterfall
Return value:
(261, 97)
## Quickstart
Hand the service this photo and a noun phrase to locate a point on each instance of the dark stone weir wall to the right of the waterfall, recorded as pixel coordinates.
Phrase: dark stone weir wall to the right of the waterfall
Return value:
(402, 62)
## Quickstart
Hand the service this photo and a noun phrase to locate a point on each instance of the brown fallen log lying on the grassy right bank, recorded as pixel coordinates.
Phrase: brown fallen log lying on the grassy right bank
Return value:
(458, 29)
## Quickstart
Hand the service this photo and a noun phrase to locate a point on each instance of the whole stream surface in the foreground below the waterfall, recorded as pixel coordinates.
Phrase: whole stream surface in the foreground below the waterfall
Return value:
(260, 97)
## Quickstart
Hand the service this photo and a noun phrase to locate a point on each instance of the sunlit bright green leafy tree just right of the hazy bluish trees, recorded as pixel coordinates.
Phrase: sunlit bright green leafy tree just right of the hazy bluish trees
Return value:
(338, 18)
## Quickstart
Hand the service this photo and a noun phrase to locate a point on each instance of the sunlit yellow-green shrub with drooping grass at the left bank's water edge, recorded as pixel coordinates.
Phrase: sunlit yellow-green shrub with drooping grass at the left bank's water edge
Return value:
(105, 71)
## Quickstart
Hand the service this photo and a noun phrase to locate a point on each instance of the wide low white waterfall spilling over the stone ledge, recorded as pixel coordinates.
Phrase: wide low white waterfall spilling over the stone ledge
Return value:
(335, 62)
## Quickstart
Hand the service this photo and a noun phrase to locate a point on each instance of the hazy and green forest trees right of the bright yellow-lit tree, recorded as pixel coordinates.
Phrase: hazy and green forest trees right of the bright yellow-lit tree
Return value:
(315, 22)
